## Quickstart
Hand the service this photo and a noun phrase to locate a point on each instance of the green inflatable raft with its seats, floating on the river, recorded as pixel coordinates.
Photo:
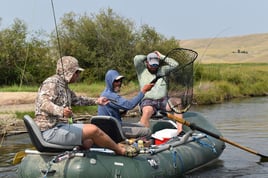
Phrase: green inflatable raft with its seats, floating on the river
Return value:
(169, 155)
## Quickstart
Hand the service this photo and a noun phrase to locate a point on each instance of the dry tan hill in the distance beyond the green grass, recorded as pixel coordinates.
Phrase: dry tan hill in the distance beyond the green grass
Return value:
(240, 49)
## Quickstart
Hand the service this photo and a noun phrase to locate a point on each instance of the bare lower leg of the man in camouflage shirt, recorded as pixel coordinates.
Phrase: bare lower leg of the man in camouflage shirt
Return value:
(101, 139)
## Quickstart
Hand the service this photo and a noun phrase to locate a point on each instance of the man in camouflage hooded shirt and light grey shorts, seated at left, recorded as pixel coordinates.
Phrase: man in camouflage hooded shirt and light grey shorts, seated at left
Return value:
(53, 110)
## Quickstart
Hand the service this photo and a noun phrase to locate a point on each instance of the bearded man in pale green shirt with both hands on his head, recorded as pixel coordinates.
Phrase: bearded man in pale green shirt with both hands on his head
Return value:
(155, 67)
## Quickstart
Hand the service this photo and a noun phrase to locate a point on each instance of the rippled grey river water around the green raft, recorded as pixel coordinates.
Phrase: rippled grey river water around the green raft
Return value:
(242, 121)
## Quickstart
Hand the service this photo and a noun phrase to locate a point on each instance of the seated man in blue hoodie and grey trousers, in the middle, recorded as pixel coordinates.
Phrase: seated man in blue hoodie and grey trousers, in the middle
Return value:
(118, 104)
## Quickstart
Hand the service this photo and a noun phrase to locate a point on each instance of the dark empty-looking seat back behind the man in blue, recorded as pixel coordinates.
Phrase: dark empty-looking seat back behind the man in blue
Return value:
(110, 126)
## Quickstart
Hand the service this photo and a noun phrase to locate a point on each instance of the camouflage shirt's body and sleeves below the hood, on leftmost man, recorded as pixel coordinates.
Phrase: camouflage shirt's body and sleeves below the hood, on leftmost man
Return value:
(53, 95)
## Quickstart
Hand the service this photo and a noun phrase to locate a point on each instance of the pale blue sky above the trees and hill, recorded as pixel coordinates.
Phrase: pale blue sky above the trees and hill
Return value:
(182, 19)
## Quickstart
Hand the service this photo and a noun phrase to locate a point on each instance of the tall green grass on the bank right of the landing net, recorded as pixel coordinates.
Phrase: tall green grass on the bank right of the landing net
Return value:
(217, 83)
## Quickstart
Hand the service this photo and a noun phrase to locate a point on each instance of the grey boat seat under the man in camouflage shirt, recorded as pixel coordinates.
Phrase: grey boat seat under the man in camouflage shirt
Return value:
(38, 140)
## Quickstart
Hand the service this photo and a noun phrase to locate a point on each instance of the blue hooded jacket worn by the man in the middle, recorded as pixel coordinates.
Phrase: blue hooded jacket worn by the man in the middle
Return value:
(117, 102)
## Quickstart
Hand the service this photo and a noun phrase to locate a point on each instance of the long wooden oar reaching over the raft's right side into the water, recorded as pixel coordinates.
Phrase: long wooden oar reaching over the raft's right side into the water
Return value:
(195, 127)
